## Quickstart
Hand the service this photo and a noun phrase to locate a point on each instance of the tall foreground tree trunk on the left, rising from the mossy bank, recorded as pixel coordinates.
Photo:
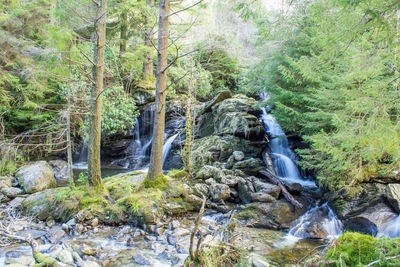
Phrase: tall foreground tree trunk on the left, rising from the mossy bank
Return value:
(96, 97)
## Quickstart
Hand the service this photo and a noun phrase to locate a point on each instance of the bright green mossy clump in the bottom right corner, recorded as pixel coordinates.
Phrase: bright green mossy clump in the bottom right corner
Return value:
(354, 249)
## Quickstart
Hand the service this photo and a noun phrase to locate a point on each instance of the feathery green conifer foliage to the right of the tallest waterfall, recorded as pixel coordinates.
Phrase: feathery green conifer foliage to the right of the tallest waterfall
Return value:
(334, 80)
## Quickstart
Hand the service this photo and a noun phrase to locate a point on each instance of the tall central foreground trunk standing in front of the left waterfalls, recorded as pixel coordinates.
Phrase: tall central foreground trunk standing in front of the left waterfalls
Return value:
(161, 84)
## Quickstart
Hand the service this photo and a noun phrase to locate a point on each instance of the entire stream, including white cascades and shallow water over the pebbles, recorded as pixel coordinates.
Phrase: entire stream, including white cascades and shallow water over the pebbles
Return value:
(167, 244)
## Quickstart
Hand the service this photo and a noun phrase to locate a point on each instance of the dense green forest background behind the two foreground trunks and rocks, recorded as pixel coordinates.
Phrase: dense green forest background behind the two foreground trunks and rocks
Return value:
(330, 67)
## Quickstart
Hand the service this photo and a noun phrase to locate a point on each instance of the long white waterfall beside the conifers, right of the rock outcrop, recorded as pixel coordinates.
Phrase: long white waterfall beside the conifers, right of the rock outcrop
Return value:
(282, 156)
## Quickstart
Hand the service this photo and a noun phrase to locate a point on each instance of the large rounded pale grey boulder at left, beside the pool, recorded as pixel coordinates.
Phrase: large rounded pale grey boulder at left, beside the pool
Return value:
(36, 177)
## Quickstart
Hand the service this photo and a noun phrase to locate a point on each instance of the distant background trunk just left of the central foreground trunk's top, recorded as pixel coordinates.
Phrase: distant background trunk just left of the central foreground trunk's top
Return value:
(148, 38)
